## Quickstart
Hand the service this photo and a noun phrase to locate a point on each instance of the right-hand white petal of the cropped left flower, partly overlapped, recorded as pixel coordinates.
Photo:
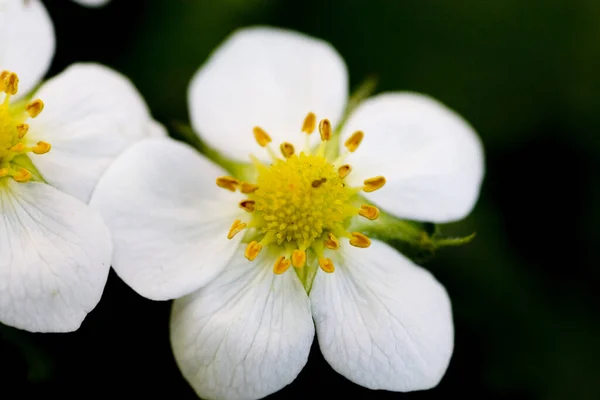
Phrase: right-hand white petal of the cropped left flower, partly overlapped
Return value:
(91, 115)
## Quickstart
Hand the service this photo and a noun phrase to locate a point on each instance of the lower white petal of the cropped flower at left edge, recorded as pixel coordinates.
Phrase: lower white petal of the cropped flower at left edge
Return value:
(55, 258)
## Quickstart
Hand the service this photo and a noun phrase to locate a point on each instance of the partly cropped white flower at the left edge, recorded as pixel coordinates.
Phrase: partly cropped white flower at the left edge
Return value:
(54, 146)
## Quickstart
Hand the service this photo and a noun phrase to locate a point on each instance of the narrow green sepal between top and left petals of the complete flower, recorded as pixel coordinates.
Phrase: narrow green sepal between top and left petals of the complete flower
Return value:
(240, 170)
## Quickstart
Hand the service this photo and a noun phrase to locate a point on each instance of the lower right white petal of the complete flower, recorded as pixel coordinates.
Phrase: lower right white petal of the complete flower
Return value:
(383, 322)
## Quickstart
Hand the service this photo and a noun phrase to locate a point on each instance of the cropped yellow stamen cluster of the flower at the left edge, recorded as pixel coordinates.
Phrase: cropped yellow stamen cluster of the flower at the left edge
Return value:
(13, 130)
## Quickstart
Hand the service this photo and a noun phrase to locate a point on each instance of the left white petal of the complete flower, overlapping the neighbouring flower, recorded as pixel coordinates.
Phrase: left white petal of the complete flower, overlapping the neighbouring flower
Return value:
(168, 218)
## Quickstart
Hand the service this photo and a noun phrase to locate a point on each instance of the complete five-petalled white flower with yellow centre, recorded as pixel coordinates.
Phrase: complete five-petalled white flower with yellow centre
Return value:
(244, 328)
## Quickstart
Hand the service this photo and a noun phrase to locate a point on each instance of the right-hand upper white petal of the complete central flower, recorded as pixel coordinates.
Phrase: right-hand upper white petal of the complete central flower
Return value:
(431, 157)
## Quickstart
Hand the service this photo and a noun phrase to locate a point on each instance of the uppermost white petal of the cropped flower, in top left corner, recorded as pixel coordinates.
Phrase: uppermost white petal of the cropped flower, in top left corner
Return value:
(27, 41)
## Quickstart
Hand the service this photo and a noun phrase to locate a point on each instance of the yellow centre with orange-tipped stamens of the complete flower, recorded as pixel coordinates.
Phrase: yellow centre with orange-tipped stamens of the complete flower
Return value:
(301, 202)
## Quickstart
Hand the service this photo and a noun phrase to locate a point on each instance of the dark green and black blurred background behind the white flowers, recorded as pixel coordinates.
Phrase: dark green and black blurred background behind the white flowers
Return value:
(524, 292)
